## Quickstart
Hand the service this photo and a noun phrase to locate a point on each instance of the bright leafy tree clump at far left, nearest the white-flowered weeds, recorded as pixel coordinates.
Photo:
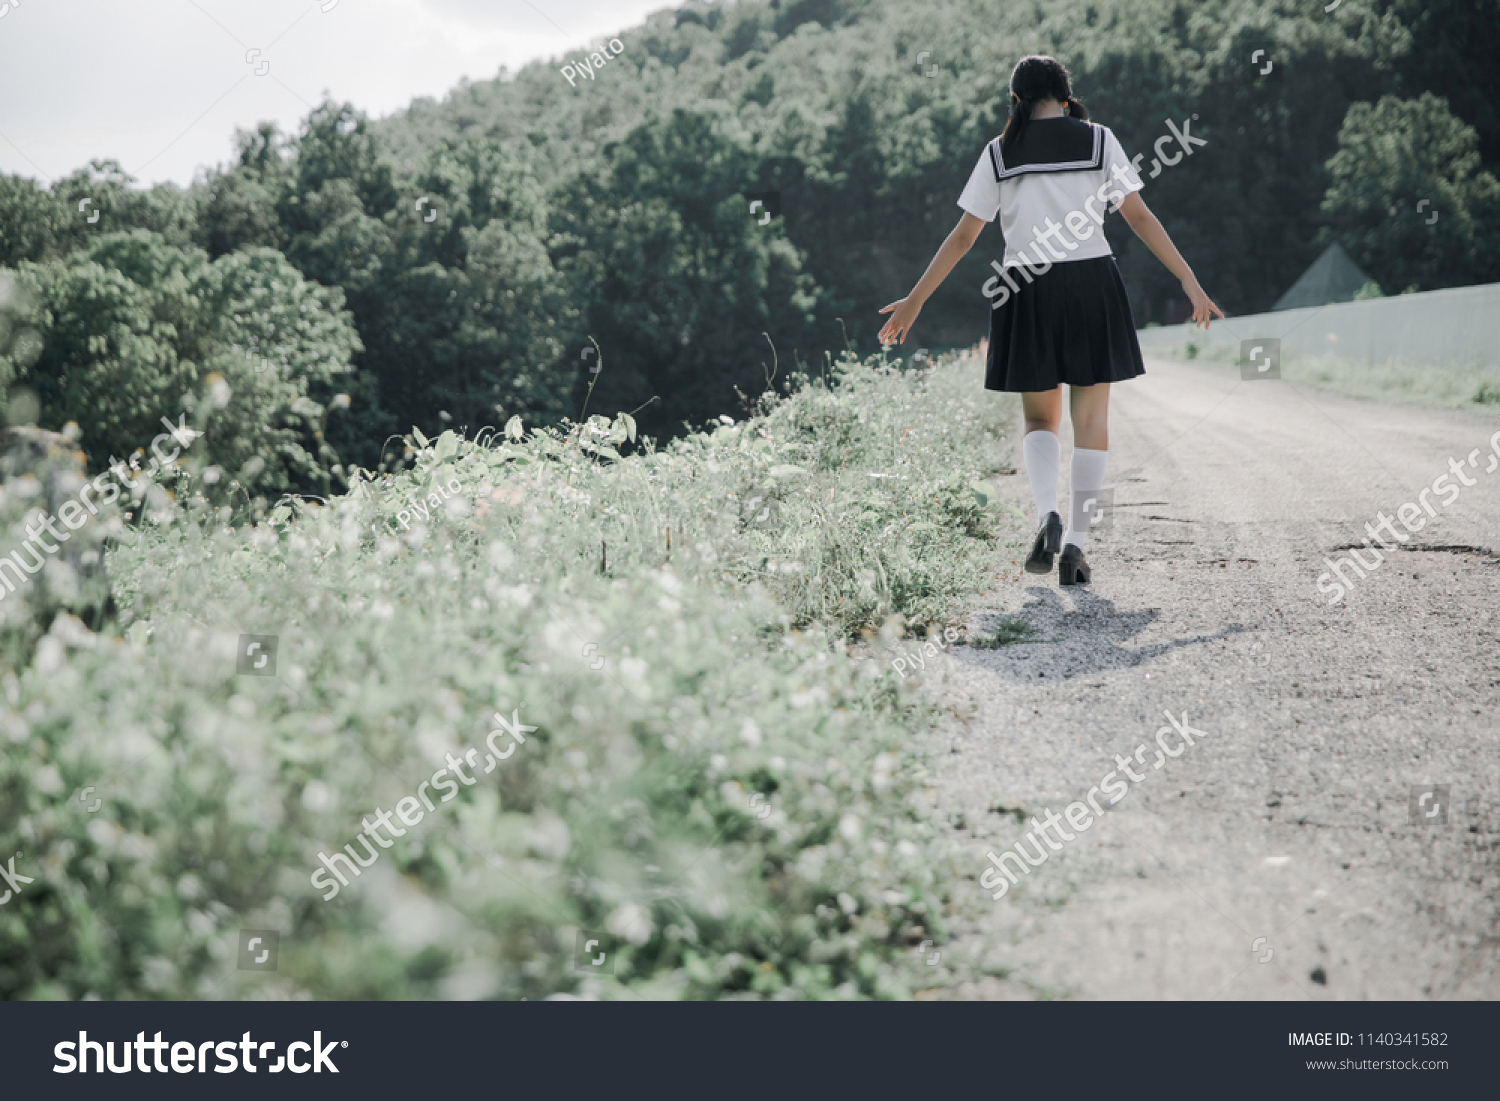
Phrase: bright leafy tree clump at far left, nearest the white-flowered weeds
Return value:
(134, 331)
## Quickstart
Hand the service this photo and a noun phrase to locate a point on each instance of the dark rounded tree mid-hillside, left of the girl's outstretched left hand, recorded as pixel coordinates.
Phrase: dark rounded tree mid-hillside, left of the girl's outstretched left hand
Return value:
(680, 280)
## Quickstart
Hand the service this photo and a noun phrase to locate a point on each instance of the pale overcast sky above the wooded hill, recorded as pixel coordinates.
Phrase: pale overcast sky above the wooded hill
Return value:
(161, 85)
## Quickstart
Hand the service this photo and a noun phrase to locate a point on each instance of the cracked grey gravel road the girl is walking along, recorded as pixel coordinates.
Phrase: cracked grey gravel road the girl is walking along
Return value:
(1277, 857)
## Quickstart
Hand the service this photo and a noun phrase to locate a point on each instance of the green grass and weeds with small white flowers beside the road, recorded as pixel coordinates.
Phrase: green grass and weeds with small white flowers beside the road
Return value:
(716, 788)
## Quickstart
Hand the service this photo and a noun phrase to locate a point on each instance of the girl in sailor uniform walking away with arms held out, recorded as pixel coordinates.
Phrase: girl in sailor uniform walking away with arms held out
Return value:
(1060, 311)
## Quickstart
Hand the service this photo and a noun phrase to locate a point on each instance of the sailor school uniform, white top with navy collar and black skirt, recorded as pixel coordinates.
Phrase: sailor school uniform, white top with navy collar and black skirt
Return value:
(1060, 311)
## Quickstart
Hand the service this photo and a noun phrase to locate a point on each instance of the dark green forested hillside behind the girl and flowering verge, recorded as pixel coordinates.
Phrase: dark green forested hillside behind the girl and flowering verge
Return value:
(455, 265)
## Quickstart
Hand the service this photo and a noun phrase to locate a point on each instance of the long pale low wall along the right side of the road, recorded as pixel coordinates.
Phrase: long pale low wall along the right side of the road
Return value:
(1459, 328)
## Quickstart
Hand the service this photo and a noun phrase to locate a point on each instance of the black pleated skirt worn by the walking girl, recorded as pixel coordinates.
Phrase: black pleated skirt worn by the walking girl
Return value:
(1069, 325)
